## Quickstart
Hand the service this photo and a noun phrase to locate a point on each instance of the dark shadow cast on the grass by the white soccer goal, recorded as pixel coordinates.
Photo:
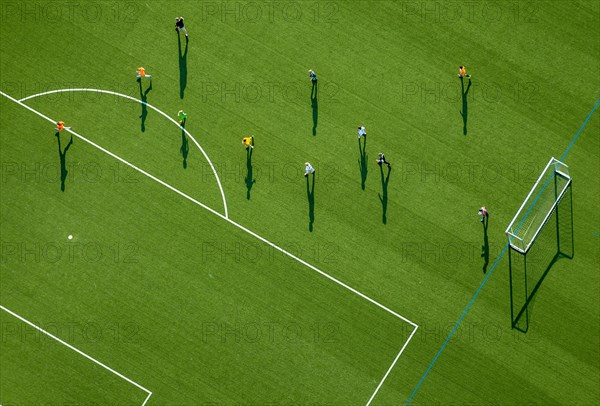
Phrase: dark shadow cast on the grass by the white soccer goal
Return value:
(528, 271)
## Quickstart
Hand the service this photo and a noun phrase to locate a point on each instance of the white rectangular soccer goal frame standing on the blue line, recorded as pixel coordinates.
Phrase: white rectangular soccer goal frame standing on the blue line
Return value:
(539, 204)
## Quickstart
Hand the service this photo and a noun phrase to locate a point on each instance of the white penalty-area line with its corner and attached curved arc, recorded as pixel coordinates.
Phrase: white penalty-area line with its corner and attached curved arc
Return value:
(224, 217)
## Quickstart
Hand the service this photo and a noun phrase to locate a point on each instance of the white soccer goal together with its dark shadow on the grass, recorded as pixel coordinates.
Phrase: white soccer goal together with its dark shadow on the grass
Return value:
(539, 235)
